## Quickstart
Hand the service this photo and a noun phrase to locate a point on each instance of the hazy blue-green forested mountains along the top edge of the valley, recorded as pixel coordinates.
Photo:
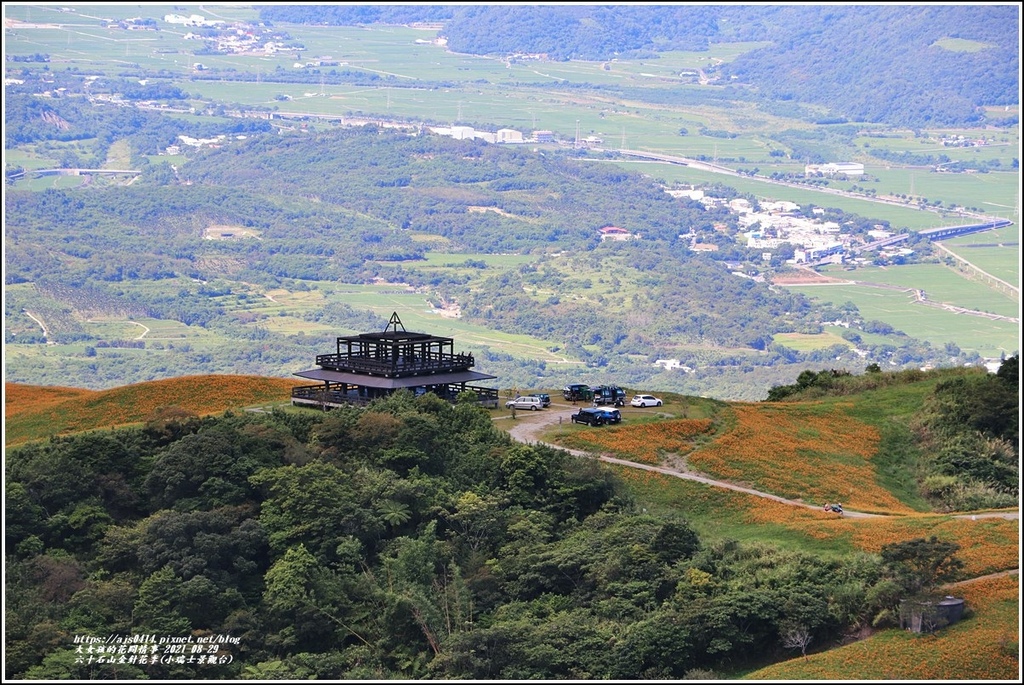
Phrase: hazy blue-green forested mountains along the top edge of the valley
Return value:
(865, 63)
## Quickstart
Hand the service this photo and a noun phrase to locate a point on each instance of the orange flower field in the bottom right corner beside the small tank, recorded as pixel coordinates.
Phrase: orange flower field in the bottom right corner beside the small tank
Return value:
(983, 647)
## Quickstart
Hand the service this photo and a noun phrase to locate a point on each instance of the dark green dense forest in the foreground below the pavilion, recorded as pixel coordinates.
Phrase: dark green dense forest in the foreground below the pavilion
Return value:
(411, 539)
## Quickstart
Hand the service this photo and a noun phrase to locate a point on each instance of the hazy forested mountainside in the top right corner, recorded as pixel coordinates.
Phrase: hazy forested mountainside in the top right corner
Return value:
(887, 63)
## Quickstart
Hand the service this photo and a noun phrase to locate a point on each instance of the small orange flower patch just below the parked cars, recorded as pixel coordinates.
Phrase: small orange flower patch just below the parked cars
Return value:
(647, 444)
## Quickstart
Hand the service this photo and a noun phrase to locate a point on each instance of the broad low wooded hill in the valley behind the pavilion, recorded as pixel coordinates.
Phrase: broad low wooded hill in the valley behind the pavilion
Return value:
(356, 206)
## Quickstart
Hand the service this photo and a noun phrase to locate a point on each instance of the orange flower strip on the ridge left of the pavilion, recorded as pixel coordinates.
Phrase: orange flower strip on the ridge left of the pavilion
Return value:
(40, 412)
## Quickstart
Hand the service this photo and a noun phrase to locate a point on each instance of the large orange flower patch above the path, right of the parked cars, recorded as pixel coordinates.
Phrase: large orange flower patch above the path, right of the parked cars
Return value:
(800, 451)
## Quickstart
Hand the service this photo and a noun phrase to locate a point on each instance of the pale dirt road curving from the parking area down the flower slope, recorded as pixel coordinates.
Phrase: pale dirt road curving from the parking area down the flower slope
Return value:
(531, 425)
